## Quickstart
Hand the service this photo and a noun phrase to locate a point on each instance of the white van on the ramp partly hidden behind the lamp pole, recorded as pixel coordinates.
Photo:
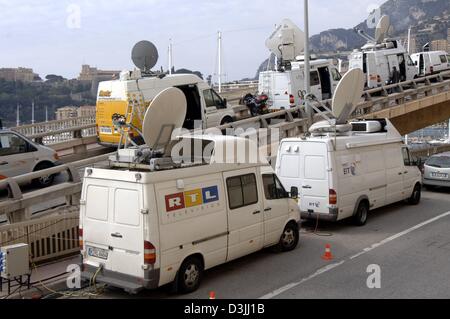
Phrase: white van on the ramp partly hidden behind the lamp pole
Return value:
(286, 88)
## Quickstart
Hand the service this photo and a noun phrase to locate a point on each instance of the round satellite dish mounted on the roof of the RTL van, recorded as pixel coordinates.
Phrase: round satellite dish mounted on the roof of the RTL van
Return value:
(166, 113)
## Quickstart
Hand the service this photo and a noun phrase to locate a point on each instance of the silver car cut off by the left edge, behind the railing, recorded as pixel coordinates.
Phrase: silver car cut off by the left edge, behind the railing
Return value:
(19, 155)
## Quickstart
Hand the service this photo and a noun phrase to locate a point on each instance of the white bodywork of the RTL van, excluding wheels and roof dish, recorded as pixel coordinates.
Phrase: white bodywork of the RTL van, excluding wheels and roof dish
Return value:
(181, 212)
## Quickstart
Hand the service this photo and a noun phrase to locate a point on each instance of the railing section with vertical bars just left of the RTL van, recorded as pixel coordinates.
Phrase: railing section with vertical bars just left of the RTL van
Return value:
(49, 237)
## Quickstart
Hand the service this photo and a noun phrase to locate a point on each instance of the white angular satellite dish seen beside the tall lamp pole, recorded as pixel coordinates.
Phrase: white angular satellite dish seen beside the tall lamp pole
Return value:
(287, 41)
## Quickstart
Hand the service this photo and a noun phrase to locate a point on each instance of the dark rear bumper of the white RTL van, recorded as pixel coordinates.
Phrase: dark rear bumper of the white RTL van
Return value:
(129, 283)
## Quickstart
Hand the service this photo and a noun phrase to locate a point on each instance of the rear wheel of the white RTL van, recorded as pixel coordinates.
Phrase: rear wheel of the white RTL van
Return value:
(190, 275)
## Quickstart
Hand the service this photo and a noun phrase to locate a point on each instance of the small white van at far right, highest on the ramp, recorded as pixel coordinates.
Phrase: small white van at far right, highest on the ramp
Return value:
(428, 63)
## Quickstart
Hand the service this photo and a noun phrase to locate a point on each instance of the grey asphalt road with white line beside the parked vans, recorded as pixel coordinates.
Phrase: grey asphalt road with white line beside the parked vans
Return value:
(410, 244)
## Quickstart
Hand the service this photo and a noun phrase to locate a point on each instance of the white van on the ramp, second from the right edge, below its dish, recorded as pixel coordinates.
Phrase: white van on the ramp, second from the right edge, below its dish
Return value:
(379, 60)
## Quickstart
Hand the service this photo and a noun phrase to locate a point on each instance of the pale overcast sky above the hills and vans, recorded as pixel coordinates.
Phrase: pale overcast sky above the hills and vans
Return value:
(48, 36)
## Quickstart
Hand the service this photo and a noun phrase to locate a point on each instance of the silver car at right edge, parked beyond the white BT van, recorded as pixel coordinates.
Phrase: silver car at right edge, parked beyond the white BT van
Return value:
(437, 170)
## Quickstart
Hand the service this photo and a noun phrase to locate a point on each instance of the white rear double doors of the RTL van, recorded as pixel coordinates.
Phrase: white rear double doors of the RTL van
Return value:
(112, 225)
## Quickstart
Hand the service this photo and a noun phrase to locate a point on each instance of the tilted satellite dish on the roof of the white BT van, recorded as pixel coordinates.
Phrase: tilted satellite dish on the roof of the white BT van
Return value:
(347, 95)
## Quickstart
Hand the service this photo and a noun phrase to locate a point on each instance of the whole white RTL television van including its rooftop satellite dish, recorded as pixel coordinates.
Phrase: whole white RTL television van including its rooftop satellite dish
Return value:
(148, 219)
